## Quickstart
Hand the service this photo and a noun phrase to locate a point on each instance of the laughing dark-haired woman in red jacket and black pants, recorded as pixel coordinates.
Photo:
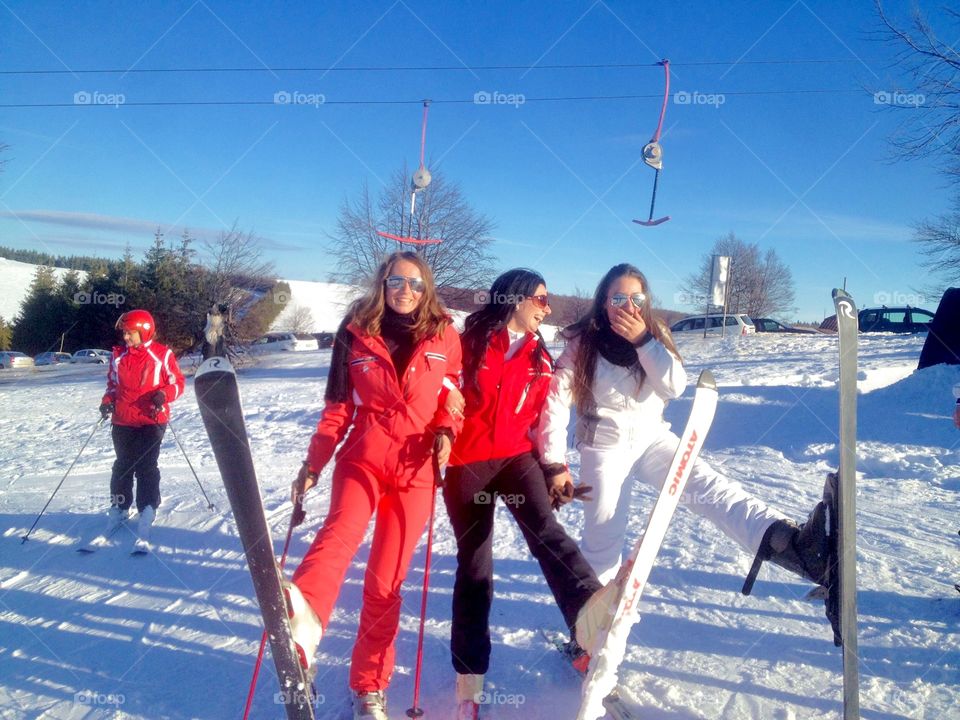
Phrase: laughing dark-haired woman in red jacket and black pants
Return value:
(506, 375)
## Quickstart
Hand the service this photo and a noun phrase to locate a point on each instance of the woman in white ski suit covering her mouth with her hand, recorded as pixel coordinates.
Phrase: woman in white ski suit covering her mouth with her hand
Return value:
(622, 436)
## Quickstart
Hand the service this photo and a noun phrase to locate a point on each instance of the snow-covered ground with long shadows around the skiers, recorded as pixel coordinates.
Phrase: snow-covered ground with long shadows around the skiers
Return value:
(175, 634)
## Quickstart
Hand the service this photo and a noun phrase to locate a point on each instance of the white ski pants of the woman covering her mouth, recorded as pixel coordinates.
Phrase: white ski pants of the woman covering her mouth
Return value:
(611, 471)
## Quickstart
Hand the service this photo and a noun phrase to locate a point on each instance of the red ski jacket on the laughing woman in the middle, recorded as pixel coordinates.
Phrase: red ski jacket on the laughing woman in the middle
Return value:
(502, 416)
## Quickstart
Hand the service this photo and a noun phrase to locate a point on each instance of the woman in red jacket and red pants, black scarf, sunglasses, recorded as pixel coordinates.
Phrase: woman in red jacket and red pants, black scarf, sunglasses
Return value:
(394, 354)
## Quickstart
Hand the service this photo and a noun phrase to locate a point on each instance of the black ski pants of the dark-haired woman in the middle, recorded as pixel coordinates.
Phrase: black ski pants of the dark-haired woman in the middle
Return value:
(471, 493)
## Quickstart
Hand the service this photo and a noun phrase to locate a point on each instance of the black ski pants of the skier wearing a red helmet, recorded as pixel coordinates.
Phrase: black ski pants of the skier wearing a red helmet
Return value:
(138, 449)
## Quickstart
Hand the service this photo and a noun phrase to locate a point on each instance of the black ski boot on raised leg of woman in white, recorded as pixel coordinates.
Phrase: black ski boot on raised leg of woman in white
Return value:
(808, 550)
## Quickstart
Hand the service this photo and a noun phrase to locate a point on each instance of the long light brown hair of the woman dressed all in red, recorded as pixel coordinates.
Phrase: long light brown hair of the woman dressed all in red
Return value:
(430, 317)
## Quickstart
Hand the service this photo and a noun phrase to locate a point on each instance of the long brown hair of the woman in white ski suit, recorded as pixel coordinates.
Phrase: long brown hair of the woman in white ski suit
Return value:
(588, 328)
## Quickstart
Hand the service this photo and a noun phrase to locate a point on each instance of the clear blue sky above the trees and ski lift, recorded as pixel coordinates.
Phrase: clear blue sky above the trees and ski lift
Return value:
(794, 156)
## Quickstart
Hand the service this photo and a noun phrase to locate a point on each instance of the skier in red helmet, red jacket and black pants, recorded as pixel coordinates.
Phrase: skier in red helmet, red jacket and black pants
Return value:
(143, 378)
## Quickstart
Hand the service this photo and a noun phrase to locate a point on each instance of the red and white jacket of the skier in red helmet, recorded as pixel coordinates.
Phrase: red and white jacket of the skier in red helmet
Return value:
(135, 374)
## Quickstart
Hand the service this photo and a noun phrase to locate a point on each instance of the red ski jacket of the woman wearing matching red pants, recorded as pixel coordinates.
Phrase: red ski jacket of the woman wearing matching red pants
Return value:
(393, 419)
